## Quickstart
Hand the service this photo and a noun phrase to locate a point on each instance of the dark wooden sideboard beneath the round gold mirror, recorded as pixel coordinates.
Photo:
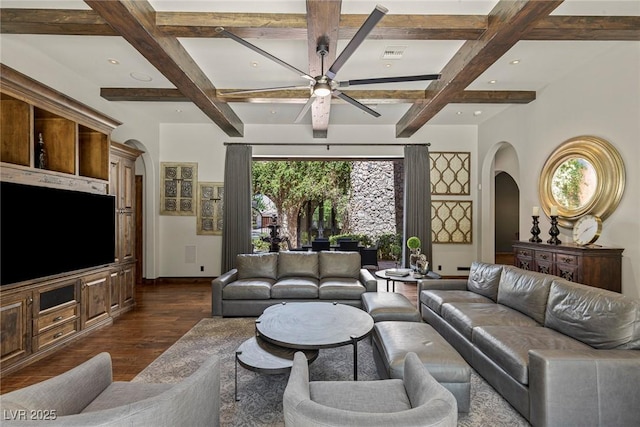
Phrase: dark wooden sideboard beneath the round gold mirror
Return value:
(592, 265)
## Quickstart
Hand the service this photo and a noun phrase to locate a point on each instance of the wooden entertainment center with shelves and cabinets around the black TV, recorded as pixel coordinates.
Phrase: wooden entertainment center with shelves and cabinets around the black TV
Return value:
(39, 316)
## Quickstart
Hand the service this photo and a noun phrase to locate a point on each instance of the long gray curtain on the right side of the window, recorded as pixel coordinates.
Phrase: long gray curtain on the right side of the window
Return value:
(417, 200)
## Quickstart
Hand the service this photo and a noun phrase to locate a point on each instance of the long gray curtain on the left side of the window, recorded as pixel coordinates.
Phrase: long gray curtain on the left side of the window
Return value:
(236, 216)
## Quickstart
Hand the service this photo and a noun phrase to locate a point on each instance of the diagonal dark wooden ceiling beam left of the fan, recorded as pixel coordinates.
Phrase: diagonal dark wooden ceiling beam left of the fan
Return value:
(135, 21)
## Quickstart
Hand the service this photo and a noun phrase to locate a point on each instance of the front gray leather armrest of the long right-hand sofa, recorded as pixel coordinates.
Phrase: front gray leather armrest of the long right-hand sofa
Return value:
(577, 387)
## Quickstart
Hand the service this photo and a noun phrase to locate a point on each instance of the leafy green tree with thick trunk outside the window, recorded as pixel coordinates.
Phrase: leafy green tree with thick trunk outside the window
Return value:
(291, 184)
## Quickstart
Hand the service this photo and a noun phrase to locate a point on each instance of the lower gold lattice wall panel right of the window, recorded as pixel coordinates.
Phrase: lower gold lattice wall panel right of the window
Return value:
(451, 221)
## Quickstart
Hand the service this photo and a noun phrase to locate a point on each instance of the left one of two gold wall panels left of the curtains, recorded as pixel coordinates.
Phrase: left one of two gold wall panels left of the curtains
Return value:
(178, 188)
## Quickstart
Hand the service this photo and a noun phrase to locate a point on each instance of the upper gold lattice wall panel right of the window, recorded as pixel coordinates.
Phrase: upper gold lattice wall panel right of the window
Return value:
(450, 173)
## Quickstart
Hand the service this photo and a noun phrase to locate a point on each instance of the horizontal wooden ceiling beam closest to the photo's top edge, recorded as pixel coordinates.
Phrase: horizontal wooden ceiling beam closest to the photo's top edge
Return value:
(294, 26)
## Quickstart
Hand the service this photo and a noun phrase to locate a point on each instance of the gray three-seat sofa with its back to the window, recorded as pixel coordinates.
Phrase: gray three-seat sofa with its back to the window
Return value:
(262, 280)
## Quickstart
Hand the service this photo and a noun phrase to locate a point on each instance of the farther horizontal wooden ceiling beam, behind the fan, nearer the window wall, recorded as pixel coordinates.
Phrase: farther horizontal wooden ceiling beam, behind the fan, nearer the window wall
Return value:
(301, 96)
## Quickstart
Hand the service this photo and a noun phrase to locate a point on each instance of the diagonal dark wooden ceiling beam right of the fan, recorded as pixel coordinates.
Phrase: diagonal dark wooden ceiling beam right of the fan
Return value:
(508, 20)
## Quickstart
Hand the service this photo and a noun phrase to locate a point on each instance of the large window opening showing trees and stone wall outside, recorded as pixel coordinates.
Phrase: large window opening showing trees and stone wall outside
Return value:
(328, 199)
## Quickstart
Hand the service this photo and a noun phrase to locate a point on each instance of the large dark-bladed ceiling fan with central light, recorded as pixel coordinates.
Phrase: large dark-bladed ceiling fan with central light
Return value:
(325, 84)
